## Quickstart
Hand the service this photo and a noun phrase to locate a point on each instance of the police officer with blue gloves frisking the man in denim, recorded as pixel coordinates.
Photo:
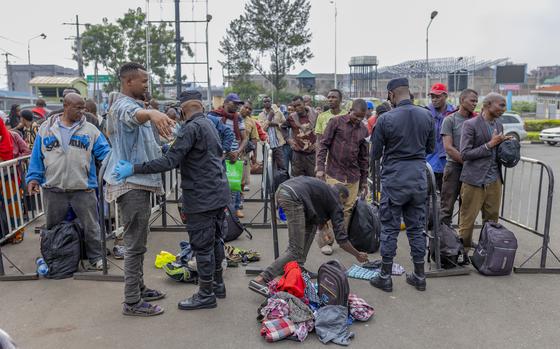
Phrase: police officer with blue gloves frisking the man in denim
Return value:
(198, 152)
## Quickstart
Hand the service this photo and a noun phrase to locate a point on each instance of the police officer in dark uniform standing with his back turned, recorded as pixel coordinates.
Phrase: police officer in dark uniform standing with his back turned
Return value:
(403, 136)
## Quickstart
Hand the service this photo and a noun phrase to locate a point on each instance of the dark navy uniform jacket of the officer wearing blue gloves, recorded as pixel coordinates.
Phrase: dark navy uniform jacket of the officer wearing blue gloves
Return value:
(198, 152)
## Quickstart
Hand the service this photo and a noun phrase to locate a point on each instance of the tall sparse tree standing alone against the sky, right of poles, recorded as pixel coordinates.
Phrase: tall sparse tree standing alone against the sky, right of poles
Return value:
(270, 37)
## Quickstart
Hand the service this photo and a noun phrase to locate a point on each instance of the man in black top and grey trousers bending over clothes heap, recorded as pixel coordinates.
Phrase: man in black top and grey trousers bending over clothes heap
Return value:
(307, 202)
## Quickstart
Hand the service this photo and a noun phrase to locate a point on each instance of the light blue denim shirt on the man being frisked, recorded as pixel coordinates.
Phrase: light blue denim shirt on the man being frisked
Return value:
(130, 141)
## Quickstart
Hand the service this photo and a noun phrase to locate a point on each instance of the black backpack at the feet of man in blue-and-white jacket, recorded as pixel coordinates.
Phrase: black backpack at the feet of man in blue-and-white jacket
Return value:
(61, 248)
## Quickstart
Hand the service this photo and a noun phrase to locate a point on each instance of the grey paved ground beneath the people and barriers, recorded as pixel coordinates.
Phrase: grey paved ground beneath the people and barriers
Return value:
(517, 311)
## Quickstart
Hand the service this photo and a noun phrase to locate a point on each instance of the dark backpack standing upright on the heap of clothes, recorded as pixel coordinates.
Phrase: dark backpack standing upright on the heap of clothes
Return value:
(332, 282)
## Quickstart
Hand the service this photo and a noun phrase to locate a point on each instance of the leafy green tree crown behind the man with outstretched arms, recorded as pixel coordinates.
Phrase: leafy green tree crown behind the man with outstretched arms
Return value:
(112, 44)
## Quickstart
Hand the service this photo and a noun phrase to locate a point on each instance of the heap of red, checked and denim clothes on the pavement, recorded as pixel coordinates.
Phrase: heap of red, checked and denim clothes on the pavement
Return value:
(293, 310)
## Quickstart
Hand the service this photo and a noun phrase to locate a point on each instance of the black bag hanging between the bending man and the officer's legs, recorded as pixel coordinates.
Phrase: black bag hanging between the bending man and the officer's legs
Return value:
(364, 228)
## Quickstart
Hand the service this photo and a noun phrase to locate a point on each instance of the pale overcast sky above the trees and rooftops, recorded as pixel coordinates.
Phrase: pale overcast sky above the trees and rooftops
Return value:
(394, 31)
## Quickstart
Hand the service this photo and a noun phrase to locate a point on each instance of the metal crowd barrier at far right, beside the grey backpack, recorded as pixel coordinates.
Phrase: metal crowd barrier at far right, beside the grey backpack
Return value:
(525, 186)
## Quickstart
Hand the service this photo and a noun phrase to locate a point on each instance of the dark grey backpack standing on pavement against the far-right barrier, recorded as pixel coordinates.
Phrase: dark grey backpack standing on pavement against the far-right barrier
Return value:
(495, 253)
